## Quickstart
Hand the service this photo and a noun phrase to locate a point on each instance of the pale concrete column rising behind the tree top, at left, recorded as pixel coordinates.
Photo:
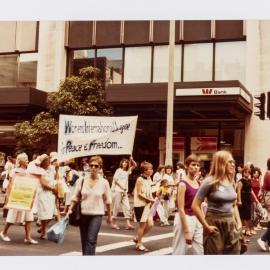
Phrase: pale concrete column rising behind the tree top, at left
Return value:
(51, 55)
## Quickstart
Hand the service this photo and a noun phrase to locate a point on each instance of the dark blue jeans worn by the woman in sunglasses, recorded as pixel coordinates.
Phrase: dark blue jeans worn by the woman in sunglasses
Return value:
(89, 228)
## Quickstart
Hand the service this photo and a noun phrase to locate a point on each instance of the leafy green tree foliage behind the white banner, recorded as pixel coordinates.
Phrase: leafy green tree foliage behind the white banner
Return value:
(77, 95)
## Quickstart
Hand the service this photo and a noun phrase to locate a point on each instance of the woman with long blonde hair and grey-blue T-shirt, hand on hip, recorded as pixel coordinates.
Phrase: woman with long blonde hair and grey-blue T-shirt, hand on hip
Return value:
(222, 224)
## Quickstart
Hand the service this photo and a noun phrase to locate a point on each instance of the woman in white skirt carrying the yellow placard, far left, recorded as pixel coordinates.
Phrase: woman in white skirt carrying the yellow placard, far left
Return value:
(15, 215)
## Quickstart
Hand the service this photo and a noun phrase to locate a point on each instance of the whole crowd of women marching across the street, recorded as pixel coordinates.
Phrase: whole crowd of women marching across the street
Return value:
(214, 213)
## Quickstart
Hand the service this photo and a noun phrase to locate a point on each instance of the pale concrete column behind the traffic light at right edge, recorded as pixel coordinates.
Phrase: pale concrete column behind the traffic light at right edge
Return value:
(257, 133)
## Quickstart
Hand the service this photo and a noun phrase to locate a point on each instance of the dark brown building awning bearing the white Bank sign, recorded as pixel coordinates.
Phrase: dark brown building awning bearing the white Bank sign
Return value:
(194, 101)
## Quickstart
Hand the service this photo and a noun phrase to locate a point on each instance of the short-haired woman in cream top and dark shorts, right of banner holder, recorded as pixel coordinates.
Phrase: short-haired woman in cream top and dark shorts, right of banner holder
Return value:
(142, 202)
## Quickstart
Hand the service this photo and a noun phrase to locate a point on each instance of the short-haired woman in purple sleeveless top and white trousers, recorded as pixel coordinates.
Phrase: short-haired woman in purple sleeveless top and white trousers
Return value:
(188, 230)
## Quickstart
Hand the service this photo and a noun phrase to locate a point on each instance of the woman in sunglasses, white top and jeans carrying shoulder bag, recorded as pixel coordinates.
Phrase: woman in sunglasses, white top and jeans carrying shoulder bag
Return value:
(94, 193)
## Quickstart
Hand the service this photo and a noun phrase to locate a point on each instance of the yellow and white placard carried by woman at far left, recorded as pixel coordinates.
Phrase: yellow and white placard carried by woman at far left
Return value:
(23, 192)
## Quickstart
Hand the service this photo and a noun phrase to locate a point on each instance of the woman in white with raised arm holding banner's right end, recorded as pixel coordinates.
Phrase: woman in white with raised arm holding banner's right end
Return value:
(120, 192)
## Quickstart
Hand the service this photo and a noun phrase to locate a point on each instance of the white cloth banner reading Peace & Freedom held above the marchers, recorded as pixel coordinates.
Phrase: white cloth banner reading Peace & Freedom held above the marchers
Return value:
(81, 136)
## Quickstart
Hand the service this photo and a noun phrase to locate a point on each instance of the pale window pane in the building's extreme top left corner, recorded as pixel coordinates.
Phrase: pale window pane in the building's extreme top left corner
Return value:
(8, 35)
